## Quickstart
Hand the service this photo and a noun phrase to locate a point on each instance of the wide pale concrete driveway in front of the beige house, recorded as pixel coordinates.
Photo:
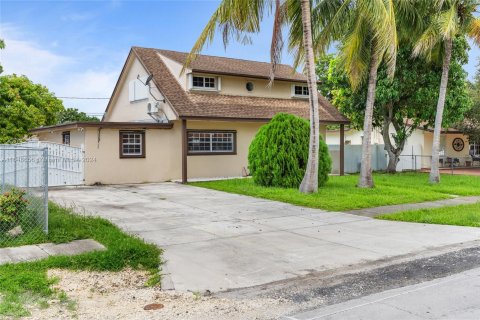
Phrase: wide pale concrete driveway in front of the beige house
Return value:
(217, 241)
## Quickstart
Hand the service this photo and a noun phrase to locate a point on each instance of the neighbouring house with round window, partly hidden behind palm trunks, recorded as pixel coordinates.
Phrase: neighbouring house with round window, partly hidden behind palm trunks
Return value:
(454, 148)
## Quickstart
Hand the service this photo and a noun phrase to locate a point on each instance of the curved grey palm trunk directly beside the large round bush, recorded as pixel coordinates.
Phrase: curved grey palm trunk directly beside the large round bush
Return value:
(310, 180)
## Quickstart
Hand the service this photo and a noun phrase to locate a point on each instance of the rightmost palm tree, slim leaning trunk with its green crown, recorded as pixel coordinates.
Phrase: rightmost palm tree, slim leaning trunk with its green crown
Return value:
(450, 19)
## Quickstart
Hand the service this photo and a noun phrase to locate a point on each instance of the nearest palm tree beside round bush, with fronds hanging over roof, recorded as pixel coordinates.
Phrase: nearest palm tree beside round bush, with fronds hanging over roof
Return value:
(240, 18)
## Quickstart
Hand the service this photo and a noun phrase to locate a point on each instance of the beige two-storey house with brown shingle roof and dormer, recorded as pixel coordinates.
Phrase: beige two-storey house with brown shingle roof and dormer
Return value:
(161, 124)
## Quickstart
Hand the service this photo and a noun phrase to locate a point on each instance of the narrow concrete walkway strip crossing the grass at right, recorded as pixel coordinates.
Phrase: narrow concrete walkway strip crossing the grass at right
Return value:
(372, 212)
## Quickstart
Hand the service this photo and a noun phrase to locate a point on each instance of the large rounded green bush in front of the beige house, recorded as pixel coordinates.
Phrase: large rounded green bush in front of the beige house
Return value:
(278, 154)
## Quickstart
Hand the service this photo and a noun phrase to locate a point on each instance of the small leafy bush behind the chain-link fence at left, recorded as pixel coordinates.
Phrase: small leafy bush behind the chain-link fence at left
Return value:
(12, 205)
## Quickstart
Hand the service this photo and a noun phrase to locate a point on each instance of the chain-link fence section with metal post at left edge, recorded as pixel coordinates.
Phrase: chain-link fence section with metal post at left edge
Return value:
(24, 194)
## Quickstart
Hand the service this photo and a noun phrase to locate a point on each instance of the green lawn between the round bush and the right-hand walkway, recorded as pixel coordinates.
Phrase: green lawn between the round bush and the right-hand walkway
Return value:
(341, 193)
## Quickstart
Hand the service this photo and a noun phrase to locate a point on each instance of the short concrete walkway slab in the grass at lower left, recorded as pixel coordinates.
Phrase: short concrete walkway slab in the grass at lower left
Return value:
(44, 250)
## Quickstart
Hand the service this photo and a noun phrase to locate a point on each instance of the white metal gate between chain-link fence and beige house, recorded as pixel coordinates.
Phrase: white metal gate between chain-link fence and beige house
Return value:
(65, 163)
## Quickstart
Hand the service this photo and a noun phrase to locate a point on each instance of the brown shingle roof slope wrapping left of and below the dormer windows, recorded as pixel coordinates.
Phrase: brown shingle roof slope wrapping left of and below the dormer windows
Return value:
(211, 105)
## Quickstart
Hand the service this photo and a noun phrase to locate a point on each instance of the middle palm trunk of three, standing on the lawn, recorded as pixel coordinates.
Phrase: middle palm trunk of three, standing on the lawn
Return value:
(366, 180)
